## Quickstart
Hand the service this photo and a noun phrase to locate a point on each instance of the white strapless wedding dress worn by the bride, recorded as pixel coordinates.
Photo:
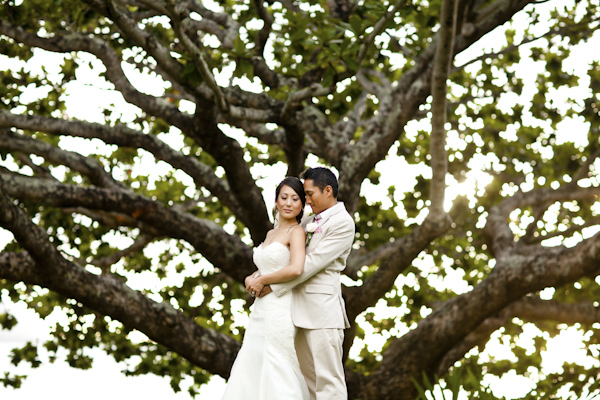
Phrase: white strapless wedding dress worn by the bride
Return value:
(267, 368)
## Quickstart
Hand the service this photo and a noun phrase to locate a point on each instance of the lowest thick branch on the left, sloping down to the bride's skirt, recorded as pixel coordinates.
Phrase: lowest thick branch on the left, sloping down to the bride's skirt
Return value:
(204, 347)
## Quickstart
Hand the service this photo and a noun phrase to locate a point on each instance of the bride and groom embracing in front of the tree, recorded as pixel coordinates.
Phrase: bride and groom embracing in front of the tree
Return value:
(292, 347)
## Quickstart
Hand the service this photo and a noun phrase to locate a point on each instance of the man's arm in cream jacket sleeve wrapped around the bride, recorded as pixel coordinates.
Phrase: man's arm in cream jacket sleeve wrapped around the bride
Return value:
(337, 240)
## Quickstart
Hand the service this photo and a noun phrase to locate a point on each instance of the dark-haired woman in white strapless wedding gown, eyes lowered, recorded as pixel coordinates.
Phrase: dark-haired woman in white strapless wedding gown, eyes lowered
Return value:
(267, 368)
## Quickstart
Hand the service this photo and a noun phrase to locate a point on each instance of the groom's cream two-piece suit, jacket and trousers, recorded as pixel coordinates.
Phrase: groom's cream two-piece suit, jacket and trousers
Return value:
(318, 308)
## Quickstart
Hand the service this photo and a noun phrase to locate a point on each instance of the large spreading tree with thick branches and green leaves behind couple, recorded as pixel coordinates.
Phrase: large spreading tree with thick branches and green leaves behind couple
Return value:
(224, 92)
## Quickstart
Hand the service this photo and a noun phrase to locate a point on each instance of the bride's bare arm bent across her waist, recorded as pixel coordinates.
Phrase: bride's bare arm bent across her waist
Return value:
(289, 272)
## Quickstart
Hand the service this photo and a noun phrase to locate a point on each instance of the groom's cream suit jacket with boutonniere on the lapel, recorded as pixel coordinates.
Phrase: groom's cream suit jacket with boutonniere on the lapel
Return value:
(317, 301)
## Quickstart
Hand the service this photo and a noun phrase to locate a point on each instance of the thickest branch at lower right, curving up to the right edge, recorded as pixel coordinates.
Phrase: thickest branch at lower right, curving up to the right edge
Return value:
(510, 280)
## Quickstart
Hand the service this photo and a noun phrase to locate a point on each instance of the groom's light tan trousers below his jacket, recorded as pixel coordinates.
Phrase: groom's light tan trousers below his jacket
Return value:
(320, 355)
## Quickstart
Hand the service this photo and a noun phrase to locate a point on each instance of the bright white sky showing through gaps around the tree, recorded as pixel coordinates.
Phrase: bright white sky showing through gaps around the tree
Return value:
(104, 380)
